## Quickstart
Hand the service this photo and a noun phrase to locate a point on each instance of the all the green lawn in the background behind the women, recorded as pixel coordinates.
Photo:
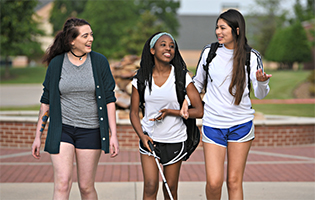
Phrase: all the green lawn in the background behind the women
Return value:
(282, 85)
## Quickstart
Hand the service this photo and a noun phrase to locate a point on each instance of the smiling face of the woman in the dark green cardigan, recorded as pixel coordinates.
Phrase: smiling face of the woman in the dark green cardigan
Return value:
(83, 43)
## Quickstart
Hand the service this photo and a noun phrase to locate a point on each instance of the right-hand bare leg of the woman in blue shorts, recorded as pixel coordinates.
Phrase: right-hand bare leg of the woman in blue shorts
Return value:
(237, 155)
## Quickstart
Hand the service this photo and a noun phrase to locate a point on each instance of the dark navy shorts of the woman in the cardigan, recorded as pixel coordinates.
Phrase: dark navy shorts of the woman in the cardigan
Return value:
(81, 138)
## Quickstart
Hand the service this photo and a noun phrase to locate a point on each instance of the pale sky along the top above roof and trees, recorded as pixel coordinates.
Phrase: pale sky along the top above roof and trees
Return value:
(214, 7)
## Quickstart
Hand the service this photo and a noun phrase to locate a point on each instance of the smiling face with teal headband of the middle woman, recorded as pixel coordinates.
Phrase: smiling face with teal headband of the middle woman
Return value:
(164, 49)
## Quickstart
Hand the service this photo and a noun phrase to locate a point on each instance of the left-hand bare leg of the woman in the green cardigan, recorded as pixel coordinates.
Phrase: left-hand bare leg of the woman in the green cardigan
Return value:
(63, 169)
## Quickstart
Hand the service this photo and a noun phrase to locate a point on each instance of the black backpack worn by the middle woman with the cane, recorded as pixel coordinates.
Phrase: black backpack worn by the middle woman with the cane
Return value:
(193, 132)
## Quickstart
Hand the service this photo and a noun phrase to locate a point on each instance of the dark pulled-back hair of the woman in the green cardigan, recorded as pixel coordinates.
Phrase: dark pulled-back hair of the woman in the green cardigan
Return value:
(64, 38)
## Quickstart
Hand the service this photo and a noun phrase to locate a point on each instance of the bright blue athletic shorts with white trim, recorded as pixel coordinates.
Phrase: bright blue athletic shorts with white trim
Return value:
(221, 136)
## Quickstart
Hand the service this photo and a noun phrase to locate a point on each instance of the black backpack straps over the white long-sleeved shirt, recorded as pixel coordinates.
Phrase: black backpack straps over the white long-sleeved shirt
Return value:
(212, 53)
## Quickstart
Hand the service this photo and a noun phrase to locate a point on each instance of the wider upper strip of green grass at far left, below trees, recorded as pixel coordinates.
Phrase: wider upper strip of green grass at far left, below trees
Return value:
(24, 75)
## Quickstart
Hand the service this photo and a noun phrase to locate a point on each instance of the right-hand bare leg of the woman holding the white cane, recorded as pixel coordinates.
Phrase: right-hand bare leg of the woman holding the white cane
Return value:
(171, 173)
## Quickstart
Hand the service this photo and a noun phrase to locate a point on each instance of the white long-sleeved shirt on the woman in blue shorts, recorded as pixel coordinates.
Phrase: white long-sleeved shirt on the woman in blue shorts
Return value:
(219, 108)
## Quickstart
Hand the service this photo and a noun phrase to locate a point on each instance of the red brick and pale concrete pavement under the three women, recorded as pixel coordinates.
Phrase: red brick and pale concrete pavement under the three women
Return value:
(271, 173)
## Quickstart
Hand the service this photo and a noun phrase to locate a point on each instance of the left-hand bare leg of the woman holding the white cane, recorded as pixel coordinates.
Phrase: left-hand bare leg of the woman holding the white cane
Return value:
(150, 176)
